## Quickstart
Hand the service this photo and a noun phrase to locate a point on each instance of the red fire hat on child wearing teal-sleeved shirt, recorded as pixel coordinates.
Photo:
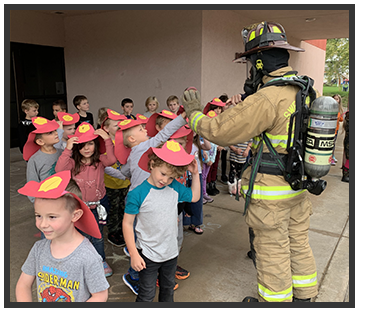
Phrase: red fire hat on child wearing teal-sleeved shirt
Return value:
(171, 152)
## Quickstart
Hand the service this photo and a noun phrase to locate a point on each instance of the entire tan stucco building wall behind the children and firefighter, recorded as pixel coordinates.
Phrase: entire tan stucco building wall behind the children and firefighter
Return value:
(136, 54)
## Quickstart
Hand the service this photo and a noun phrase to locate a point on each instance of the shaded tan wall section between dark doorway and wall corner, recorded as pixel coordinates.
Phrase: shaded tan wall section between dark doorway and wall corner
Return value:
(132, 54)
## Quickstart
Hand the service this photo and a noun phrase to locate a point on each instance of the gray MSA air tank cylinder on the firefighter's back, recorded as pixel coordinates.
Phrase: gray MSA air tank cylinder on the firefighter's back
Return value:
(320, 136)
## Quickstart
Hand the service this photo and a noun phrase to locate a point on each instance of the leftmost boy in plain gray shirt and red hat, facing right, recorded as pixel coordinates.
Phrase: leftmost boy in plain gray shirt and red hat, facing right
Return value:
(39, 150)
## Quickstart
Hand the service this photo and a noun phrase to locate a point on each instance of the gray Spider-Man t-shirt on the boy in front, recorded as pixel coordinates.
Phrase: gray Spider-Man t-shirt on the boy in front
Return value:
(70, 279)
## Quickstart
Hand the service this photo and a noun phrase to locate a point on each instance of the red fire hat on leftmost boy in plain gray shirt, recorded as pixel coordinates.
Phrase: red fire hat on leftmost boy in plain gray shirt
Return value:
(42, 125)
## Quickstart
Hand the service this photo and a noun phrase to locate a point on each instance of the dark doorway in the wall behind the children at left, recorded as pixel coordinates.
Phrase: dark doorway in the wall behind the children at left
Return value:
(36, 72)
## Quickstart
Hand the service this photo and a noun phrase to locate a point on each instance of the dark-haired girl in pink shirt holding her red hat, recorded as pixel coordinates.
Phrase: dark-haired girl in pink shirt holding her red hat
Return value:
(84, 156)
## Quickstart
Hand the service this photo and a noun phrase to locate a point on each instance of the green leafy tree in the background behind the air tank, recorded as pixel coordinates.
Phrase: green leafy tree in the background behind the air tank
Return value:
(337, 59)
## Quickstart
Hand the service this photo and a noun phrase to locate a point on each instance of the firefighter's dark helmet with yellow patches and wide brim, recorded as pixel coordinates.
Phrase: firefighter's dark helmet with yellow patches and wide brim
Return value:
(264, 36)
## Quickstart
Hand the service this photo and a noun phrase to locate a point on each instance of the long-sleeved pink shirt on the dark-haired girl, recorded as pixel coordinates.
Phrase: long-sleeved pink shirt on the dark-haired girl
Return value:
(90, 179)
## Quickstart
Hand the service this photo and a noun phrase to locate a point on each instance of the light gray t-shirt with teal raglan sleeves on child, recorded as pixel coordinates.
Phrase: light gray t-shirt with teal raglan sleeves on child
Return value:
(156, 210)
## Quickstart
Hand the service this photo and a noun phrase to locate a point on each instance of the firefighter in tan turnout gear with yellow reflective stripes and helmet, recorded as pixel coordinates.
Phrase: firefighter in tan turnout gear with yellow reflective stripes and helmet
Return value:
(278, 215)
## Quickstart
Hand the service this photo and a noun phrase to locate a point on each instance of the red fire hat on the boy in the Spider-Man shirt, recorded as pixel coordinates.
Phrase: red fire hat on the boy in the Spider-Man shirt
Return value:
(53, 188)
